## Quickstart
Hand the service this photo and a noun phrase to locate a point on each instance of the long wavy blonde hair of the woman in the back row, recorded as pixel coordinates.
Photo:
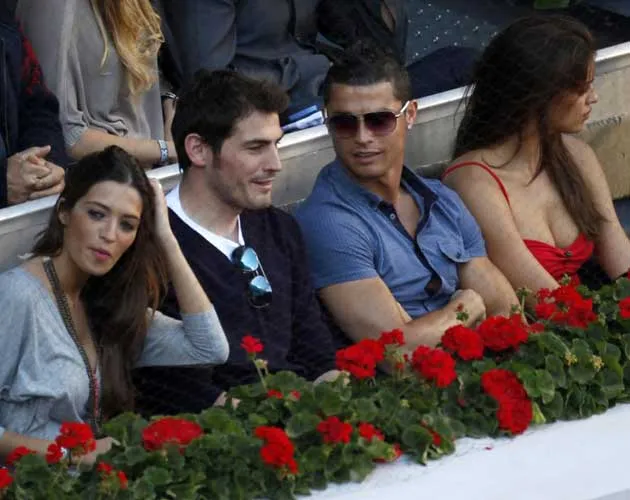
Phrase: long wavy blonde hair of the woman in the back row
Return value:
(134, 28)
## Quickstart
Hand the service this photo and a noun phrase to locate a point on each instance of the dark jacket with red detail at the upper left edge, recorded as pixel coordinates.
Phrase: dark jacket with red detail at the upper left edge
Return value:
(29, 112)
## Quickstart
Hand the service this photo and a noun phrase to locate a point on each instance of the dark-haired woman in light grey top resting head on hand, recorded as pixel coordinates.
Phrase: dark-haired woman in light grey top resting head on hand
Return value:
(80, 313)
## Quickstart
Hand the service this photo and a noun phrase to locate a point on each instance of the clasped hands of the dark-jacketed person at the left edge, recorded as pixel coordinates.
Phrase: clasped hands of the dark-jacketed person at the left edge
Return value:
(30, 176)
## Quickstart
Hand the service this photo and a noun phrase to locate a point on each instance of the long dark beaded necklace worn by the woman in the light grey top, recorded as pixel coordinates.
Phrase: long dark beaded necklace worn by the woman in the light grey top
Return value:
(94, 410)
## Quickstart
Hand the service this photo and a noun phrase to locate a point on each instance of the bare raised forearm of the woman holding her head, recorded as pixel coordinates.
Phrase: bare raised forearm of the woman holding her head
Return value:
(191, 297)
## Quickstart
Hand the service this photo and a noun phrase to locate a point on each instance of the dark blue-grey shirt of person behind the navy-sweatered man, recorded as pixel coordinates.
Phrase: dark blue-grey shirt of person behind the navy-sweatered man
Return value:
(270, 39)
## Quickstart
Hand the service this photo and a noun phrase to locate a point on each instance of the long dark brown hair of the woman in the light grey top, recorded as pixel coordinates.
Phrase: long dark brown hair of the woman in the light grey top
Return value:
(116, 303)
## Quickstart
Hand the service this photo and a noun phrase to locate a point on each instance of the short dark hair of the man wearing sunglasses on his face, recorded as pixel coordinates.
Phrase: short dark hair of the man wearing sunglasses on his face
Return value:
(364, 63)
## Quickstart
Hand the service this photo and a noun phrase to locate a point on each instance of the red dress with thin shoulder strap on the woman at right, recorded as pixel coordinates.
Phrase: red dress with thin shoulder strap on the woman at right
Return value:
(557, 261)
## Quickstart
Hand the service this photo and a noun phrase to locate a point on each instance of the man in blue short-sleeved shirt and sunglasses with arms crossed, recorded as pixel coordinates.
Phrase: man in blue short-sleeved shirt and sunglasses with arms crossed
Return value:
(388, 249)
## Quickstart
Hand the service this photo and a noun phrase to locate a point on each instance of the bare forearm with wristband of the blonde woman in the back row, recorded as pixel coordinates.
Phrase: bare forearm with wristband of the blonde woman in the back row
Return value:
(146, 151)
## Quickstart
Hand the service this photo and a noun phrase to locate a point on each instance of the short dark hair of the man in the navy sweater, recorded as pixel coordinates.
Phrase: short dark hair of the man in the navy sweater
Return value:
(215, 101)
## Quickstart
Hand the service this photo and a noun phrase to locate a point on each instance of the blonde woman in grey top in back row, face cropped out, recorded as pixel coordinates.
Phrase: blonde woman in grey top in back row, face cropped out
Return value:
(100, 59)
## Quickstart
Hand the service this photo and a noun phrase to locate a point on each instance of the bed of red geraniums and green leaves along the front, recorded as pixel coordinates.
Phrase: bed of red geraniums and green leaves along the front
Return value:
(288, 437)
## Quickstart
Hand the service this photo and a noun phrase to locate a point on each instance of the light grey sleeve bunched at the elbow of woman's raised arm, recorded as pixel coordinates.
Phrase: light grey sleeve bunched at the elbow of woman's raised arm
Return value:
(195, 340)
